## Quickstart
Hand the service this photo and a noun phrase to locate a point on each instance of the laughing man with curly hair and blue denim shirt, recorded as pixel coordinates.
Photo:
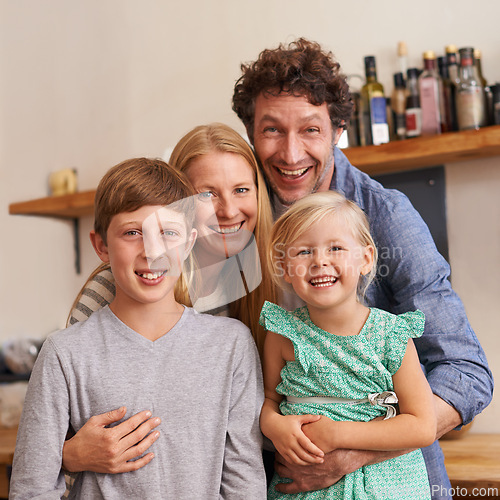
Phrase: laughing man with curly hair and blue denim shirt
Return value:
(295, 103)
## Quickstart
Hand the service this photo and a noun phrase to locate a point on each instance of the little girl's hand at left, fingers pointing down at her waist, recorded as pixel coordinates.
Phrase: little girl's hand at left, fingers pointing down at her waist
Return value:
(292, 443)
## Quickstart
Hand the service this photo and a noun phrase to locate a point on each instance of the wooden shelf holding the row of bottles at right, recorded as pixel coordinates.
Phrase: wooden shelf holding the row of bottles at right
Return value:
(428, 151)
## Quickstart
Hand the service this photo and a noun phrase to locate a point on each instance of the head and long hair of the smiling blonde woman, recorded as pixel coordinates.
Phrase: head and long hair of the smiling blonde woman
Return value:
(222, 168)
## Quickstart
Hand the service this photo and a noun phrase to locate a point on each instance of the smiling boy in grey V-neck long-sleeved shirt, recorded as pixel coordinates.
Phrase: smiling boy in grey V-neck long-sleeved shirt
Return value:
(200, 374)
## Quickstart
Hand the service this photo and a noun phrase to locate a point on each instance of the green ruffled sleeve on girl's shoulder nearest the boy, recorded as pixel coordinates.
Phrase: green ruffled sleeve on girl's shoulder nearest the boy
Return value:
(276, 319)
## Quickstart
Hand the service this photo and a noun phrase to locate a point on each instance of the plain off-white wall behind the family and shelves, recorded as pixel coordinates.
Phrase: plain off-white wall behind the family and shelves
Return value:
(88, 84)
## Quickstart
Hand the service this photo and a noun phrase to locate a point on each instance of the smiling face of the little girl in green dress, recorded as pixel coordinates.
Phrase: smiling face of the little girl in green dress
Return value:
(325, 264)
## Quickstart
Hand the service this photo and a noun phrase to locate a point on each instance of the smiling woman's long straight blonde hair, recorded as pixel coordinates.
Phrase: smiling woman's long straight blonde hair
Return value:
(217, 137)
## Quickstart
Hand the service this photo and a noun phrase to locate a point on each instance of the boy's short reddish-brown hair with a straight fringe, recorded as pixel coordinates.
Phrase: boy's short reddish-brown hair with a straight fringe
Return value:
(140, 182)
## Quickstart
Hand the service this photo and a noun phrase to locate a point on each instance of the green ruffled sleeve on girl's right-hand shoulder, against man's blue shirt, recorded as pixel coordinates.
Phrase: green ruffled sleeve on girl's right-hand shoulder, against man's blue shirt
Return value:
(407, 325)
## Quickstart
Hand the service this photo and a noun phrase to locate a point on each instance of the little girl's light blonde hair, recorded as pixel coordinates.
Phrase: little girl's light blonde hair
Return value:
(305, 213)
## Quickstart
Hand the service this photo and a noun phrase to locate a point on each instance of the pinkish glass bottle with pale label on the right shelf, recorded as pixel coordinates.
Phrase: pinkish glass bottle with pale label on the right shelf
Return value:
(430, 87)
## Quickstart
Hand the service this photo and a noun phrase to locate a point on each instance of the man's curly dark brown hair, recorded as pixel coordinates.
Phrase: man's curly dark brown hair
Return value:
(300, 68)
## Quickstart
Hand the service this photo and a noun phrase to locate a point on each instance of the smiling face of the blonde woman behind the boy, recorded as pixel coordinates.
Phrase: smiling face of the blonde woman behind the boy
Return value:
(227, 208)
